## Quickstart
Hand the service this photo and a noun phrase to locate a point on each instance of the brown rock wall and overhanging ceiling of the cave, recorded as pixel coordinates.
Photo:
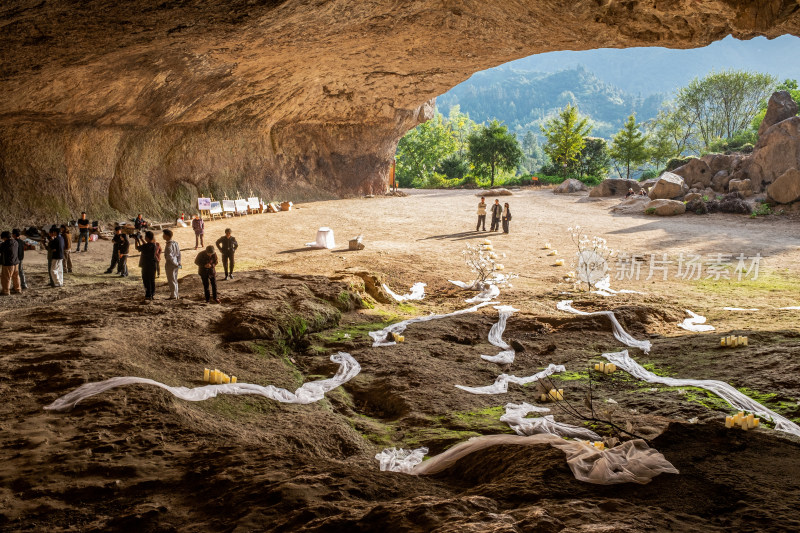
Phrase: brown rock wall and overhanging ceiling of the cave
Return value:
(118, 107)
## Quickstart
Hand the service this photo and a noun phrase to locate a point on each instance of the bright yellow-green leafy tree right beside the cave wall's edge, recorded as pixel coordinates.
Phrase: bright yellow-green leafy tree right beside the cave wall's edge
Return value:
(420, 151)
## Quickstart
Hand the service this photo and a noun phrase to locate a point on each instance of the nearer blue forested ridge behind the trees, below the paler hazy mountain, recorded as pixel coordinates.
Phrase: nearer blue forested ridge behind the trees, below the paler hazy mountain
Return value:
(524, 99)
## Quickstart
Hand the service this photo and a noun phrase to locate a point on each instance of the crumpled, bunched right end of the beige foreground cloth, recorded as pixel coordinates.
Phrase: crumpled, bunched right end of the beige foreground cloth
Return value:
(631, 461)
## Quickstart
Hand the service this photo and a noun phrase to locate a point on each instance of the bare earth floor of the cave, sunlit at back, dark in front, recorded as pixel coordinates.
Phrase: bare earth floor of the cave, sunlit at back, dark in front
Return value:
(138, 459)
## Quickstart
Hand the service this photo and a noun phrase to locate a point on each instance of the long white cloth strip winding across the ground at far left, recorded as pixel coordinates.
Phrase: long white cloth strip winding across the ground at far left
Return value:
(310, 392)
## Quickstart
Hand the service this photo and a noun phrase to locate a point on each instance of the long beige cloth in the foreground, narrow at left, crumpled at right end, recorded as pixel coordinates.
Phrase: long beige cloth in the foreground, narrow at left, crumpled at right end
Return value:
(634, 462)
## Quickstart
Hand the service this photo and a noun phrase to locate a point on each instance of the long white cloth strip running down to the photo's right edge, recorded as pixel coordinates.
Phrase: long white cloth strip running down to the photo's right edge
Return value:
(720, 388)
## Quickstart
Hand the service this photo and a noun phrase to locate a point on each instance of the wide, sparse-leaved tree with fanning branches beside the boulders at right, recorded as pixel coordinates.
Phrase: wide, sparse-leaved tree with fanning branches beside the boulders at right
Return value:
(724, 103)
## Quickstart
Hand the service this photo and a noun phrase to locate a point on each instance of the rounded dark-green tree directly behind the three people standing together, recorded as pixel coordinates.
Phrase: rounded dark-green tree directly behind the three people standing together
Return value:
(493, 147)
